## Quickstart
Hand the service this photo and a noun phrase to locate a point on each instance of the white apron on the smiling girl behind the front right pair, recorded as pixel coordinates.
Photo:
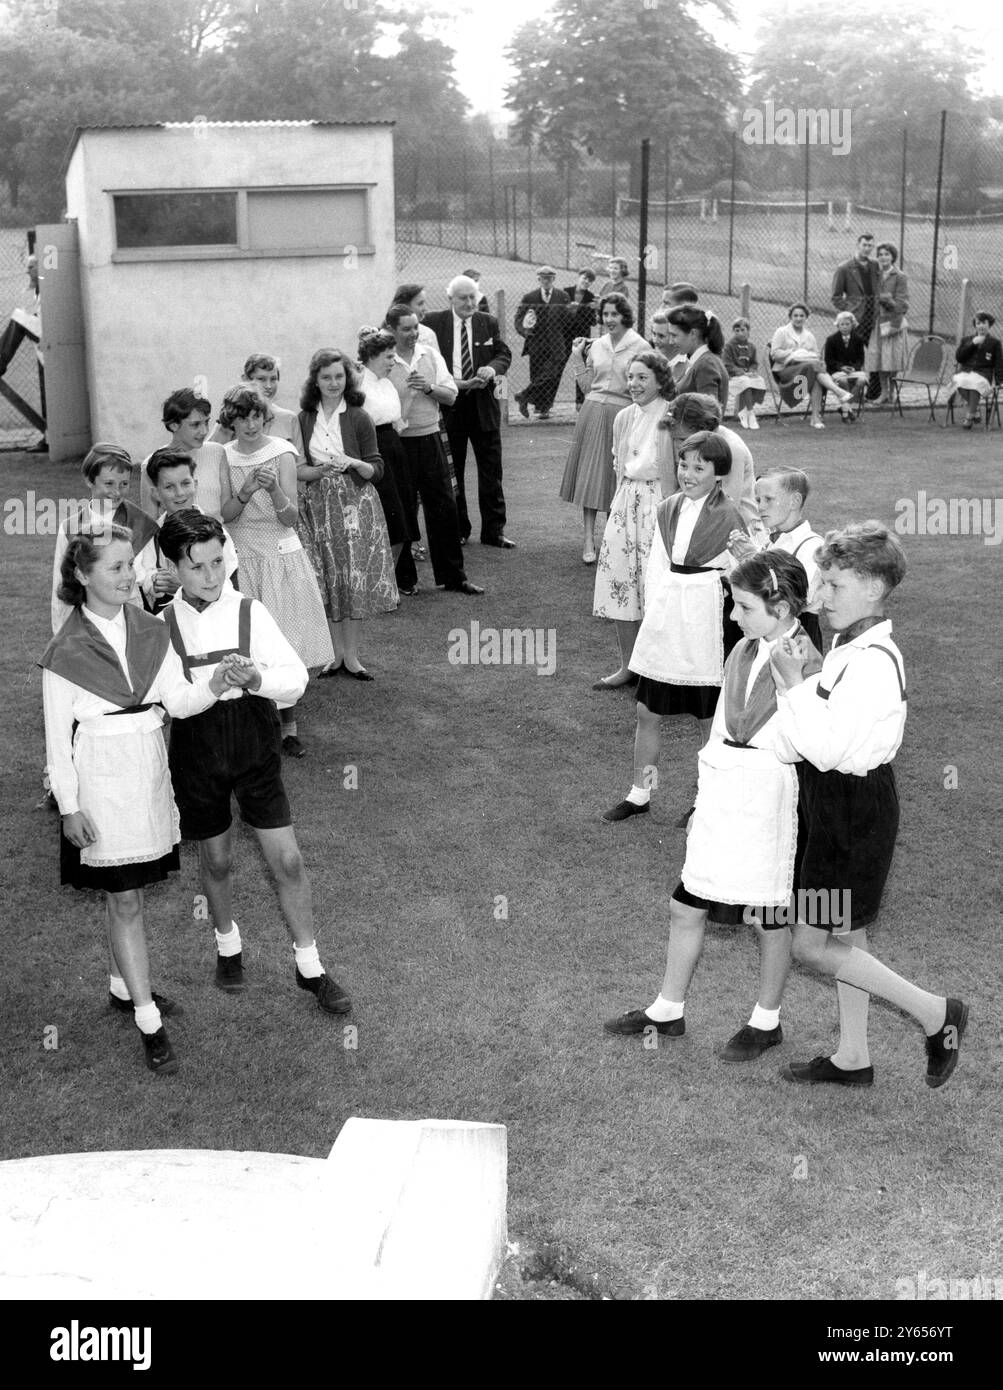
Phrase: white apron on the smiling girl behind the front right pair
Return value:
(681, 639)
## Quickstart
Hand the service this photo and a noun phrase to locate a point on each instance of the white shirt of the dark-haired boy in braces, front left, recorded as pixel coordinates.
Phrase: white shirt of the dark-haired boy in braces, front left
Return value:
(284, 676)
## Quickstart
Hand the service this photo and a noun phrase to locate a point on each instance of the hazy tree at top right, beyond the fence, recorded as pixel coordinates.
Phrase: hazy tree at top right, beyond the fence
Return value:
(888, 76)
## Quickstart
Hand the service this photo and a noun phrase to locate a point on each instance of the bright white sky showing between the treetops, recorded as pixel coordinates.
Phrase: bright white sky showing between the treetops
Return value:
(483, 30)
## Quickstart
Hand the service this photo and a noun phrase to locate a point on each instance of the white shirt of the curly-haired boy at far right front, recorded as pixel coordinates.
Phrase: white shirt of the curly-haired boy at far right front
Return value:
(861, 726)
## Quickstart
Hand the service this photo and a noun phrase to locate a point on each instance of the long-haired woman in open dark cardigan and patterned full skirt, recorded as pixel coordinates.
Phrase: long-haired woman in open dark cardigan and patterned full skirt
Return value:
(342, 519)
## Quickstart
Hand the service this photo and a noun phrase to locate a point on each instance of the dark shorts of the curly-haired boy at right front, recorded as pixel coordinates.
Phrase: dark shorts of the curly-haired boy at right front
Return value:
(851, 831)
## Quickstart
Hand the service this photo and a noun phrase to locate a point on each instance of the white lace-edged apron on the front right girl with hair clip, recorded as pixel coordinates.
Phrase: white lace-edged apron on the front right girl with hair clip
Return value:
(744, 832)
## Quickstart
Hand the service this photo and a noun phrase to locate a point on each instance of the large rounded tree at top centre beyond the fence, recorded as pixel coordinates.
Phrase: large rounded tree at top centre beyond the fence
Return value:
(597, 80)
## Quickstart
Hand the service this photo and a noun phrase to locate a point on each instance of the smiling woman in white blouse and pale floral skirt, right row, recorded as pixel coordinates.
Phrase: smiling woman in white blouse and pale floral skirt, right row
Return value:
(644, 479)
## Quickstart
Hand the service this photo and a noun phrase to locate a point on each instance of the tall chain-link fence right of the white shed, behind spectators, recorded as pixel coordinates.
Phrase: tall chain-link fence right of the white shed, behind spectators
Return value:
(780, 219)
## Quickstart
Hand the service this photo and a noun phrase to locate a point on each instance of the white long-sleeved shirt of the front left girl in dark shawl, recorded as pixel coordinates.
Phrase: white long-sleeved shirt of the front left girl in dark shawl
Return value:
(65, 703)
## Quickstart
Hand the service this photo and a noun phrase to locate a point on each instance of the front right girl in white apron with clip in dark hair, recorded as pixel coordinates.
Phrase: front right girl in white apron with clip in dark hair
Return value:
(743, 843)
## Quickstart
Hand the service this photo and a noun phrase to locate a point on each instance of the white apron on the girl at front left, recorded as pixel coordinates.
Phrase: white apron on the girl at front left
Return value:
(126, 789)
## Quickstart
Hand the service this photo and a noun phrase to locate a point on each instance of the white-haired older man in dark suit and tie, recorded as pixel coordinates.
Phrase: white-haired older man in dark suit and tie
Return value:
(472, 345)
